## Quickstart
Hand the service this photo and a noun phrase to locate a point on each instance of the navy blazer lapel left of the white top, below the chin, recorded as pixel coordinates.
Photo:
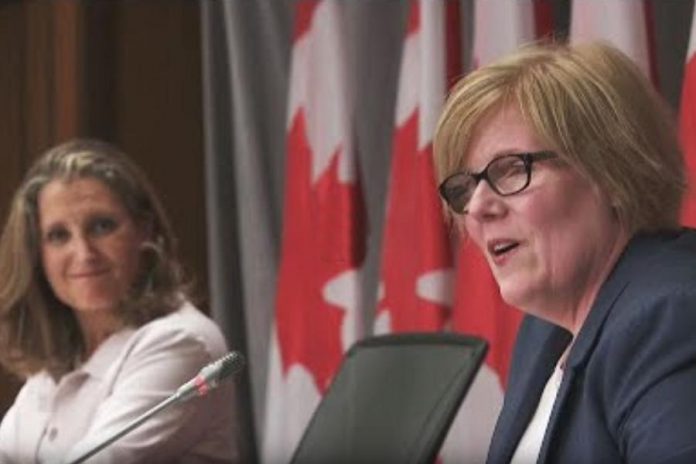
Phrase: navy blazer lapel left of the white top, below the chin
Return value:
(521, 403)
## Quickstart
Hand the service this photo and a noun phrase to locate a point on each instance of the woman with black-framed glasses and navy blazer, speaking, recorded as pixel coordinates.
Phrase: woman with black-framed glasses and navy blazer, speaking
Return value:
(561, 164)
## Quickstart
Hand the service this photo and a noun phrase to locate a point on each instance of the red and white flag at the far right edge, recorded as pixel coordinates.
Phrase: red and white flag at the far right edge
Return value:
(687, 127)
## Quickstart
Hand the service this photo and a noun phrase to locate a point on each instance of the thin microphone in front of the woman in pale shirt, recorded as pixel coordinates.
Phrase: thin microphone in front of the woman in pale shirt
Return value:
(207, 379)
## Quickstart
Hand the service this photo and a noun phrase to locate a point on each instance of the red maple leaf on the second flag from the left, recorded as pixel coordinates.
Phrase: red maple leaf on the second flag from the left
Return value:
(415, 236)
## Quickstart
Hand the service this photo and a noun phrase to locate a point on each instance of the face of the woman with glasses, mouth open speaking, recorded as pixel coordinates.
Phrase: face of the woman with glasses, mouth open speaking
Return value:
(550, 245)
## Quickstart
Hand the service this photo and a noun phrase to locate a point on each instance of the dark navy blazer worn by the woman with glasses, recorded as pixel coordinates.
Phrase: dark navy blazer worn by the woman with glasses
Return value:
(629, 385)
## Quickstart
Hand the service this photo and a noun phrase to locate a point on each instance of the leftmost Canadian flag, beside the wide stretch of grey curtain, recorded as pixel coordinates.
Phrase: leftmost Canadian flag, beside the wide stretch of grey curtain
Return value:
(323, 246)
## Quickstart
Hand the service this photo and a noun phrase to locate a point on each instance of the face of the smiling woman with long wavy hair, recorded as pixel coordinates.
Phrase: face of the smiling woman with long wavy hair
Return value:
(90, 245)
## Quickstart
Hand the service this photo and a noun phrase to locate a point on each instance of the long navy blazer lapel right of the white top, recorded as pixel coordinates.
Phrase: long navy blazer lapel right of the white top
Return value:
(638, 250)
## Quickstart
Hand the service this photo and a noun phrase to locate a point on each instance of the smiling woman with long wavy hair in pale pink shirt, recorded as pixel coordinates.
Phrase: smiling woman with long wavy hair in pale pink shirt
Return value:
(94, 315)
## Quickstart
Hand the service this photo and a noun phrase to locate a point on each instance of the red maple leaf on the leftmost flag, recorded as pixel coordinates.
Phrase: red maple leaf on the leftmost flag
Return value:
(323, 236)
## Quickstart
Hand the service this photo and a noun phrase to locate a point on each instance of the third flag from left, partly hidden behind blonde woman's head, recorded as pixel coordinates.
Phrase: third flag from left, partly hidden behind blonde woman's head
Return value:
(500, 27)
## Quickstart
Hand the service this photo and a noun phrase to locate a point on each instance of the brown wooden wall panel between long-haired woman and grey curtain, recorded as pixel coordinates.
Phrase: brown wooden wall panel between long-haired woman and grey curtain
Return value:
(145, 73)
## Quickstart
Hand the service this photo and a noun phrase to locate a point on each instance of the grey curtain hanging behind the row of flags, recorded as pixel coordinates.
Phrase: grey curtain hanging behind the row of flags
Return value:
(246, 65)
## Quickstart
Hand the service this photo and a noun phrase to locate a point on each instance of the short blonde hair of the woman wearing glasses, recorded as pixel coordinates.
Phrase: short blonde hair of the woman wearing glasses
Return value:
(593, 106)
